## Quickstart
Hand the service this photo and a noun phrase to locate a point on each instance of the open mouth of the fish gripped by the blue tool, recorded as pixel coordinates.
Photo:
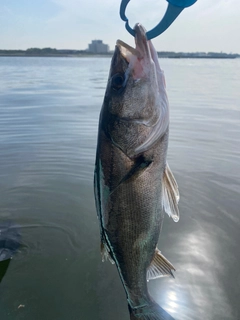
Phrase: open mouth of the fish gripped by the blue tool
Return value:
(142, 49)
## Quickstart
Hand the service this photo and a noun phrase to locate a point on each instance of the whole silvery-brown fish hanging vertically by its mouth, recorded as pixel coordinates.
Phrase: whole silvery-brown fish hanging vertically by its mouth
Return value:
(133, 183)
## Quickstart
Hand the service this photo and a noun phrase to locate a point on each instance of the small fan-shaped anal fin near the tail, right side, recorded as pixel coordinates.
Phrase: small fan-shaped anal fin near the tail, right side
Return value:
(159, 267)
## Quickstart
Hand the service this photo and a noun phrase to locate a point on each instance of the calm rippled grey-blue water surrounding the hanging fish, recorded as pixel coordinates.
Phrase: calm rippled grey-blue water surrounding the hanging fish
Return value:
(49, 111)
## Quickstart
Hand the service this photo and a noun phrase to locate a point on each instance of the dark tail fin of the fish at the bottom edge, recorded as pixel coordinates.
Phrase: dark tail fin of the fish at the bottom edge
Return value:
(149, 312)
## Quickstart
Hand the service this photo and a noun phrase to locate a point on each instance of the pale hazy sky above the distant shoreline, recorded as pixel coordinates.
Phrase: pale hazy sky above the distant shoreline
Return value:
(208, 25)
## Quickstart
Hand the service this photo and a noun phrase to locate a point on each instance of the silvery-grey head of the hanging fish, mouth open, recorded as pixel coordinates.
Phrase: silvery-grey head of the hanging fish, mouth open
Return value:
(136, 94)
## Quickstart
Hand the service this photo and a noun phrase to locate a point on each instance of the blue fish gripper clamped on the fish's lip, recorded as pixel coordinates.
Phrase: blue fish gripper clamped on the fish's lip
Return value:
(174, 8)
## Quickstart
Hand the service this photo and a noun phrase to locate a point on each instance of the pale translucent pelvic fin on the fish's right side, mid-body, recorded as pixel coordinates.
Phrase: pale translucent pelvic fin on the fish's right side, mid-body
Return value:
(170, 194)
